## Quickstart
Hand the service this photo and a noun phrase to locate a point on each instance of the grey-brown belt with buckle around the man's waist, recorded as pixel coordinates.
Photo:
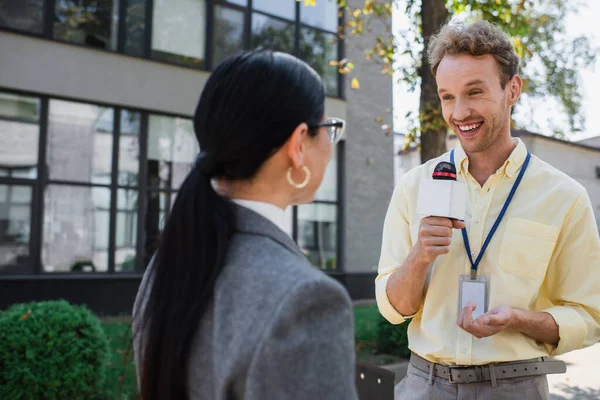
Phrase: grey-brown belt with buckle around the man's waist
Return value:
(489, 372)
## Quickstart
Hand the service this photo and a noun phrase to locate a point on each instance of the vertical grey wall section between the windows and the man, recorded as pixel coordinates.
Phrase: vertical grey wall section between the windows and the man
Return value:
(368, 157)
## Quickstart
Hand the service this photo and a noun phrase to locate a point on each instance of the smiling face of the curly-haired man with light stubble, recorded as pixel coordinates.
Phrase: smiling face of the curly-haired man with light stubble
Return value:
(473, 102)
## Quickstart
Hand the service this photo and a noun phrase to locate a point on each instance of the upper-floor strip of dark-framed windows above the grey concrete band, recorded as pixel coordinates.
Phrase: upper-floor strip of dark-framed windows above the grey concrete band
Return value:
(175, 31)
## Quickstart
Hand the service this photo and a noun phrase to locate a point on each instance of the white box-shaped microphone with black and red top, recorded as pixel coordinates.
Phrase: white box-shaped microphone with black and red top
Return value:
(442, 195)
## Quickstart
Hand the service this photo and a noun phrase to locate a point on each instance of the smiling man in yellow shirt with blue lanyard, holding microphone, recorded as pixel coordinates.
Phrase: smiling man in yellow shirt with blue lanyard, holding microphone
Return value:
(529, 240)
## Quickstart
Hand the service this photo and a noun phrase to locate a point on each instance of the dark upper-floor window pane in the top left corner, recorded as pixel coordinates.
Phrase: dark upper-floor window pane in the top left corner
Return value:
(23, 15)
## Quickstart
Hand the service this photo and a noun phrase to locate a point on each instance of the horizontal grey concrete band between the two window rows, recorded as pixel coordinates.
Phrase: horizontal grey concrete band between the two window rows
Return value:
(38, 65)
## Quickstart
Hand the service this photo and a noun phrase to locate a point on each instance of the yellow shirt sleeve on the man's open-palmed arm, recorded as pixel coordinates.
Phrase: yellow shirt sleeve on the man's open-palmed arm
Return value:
(573, 280)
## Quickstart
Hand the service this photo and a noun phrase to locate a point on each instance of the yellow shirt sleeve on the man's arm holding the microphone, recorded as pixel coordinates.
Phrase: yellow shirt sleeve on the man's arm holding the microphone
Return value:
(396, 245)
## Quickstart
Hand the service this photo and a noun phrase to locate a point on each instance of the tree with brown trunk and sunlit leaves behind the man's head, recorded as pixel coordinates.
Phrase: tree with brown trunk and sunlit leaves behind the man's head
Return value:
(550, 62)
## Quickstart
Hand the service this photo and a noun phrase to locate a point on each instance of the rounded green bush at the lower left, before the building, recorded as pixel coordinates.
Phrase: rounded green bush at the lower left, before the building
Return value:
(51, 350)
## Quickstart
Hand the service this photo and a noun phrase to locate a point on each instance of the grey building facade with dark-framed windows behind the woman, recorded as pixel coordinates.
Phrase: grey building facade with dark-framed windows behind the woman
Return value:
(96, 137)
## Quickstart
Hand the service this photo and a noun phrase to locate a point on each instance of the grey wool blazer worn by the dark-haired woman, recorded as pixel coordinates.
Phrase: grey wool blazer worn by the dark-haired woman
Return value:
(278, 328)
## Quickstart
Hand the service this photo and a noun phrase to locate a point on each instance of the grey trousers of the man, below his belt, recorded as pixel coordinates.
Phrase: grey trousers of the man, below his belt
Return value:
(415, 386)
